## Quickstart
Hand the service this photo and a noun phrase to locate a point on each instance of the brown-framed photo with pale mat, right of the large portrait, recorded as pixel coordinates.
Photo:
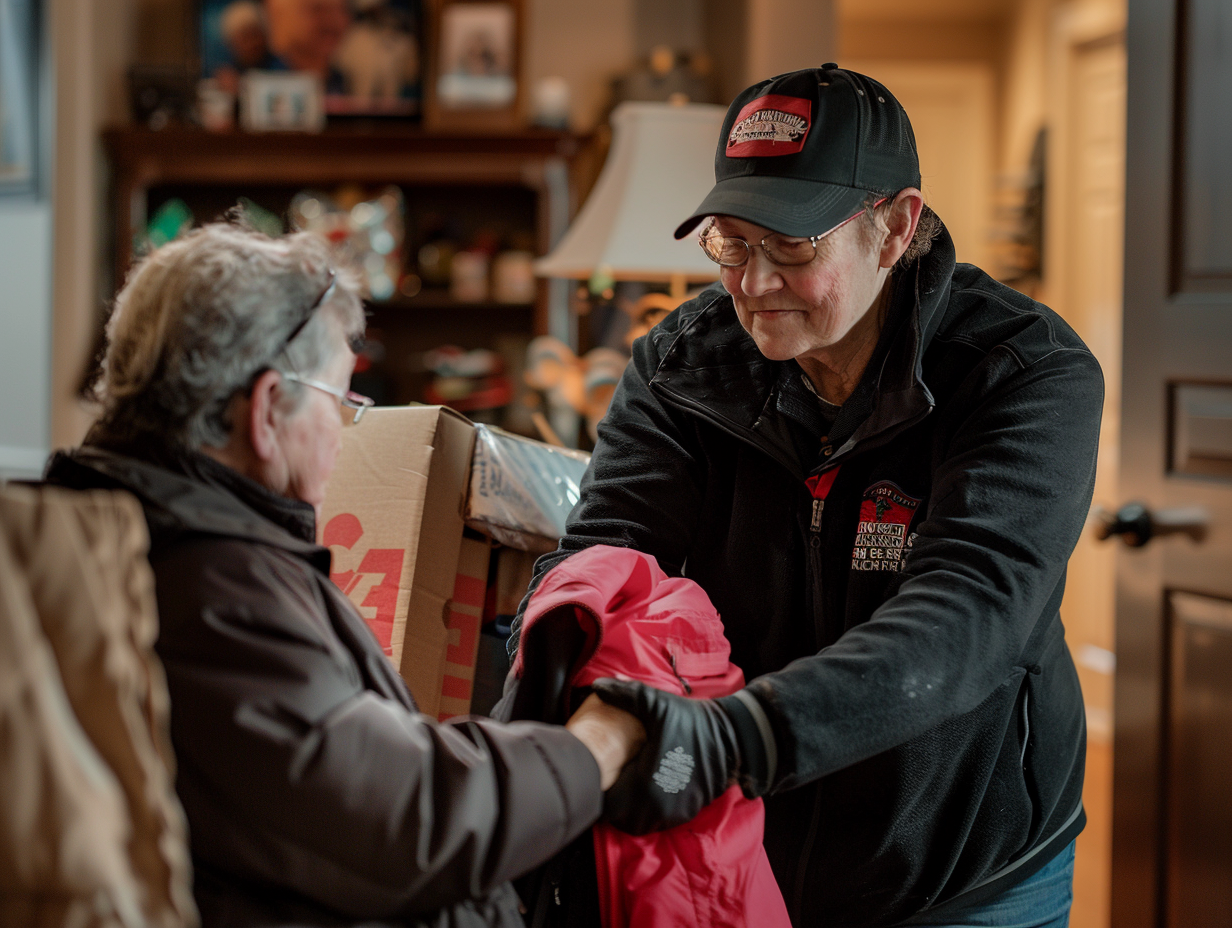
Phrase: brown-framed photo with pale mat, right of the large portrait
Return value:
(476, 66)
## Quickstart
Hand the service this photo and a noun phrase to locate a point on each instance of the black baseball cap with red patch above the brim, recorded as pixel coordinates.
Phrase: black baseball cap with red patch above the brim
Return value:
(801, 152)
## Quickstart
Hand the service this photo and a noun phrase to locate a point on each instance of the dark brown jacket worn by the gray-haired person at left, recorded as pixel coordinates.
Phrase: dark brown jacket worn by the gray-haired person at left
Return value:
(315, 792)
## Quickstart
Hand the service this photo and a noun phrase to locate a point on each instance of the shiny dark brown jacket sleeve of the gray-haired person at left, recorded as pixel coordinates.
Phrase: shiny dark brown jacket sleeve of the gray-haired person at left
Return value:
(294, 773)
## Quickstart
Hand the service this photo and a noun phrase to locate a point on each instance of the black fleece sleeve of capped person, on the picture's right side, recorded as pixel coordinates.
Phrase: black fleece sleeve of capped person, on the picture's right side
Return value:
(1011, 494)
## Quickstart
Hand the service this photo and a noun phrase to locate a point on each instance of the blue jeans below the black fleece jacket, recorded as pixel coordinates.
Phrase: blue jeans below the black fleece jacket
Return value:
(1040, 902)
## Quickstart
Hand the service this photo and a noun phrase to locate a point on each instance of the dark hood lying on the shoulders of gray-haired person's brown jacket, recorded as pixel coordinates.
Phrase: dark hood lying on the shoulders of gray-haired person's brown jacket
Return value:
(194, 495)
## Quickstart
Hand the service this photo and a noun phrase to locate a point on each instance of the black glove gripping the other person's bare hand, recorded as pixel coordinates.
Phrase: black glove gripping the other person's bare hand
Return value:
(689, 760)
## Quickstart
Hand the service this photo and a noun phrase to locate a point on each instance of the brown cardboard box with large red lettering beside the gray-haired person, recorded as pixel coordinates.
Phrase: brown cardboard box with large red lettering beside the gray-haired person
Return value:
(392, 519)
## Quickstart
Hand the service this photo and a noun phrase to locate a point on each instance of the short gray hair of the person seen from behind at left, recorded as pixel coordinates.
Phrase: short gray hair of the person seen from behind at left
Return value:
(203, 317)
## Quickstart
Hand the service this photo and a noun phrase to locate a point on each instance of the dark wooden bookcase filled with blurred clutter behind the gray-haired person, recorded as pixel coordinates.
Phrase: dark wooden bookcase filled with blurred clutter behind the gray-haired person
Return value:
(442, 230)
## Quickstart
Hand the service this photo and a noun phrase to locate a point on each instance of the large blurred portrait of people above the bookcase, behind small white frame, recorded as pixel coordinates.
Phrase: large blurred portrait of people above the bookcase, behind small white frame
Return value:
(368, 54)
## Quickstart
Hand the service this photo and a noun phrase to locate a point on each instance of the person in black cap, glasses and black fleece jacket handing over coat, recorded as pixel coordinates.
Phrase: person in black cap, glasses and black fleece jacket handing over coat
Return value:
(877, 462)
